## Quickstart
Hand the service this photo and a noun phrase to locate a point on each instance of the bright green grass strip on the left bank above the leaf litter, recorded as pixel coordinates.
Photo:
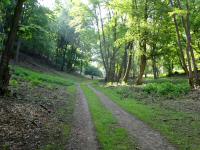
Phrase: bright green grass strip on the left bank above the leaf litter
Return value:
(39, 78)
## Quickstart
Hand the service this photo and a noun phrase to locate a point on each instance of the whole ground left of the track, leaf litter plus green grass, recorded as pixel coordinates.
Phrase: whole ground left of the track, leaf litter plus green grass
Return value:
(38, 114)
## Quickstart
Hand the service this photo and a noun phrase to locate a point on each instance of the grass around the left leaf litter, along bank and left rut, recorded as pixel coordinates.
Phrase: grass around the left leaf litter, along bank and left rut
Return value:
(64, 112)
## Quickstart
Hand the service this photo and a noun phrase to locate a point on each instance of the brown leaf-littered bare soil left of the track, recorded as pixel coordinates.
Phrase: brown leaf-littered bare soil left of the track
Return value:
(29, 119)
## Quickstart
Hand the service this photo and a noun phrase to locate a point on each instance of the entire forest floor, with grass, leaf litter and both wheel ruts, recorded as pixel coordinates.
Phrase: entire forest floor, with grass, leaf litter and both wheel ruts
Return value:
(49, 110)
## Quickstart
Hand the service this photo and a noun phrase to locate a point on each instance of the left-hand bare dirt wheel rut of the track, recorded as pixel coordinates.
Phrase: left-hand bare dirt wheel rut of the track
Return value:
(83, 134)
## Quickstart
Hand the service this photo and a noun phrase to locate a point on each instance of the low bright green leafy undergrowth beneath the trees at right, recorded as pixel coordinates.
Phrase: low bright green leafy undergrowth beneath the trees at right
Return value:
(167, 88)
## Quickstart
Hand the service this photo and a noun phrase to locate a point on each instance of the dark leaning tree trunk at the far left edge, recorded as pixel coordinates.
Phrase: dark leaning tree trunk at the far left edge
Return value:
(7, 53)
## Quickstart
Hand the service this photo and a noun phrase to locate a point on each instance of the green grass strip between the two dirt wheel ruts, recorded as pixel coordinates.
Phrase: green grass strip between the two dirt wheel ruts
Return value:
(109, 134)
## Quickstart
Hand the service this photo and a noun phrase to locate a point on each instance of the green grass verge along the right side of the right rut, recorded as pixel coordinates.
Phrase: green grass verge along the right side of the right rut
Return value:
(180, 128)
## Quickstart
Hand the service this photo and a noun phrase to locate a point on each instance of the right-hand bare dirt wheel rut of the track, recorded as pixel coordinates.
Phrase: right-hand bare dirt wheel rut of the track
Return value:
(147, 138)
